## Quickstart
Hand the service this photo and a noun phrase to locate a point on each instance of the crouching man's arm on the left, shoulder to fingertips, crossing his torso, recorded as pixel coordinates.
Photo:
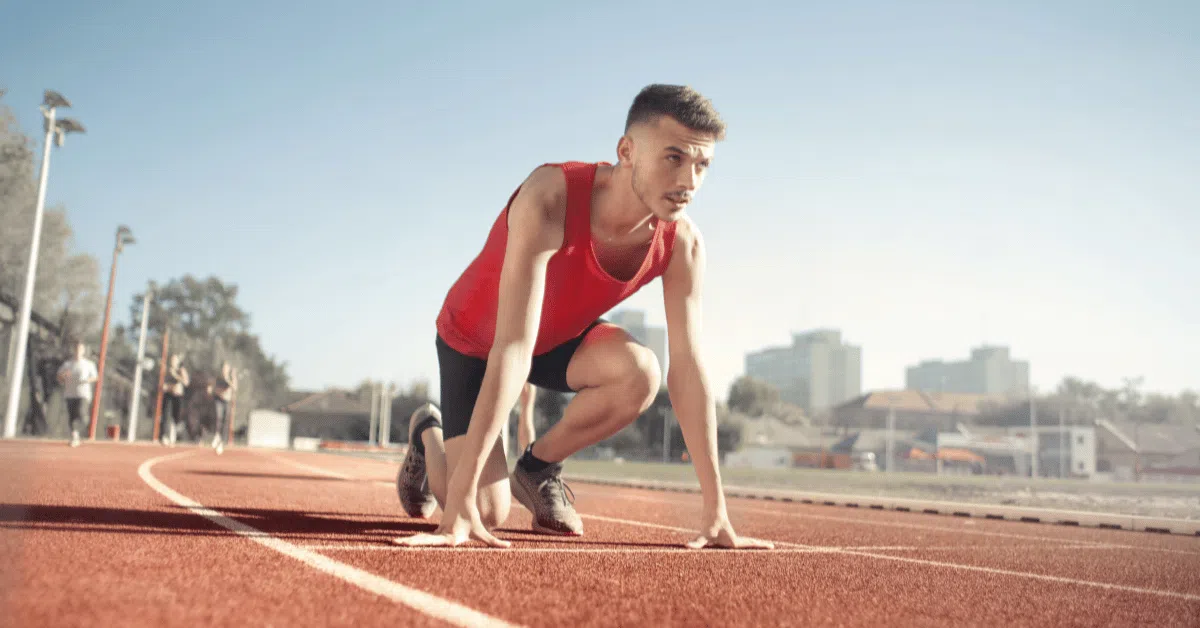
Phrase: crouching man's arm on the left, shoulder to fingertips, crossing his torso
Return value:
(537, 223)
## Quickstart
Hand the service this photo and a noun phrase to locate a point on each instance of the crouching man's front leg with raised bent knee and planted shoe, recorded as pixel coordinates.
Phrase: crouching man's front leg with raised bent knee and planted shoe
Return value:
(615, 380)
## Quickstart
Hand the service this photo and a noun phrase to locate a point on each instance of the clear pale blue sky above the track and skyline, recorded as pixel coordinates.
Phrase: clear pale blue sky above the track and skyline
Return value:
(923, 176)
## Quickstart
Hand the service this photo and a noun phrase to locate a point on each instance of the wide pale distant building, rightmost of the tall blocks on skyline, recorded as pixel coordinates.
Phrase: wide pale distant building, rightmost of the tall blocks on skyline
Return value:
(989, 372)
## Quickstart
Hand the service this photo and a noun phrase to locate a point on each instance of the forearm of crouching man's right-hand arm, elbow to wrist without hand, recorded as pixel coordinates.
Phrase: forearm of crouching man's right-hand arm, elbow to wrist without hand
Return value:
(695, 408)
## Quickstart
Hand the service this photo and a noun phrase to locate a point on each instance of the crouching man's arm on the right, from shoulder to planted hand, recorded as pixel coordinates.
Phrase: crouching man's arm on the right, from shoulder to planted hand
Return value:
(688, 385)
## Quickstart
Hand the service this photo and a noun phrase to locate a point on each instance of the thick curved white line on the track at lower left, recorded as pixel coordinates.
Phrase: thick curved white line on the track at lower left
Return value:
(427, 603)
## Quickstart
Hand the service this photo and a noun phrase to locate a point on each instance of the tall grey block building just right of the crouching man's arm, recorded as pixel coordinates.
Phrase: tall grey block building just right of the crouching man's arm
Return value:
(817, 373)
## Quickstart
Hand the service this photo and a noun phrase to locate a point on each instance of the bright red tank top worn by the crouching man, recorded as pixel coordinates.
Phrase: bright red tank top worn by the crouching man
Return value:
(578, 290)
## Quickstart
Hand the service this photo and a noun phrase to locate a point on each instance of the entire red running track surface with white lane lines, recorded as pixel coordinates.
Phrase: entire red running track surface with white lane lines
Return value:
(88, 541)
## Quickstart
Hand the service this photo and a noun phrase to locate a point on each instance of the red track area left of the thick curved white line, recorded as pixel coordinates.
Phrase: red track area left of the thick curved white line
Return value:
(88, 543)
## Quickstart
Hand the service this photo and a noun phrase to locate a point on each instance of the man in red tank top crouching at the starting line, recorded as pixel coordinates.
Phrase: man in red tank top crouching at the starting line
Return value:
(574, 241)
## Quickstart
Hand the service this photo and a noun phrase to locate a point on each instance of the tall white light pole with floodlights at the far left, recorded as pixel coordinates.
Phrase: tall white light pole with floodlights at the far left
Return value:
(56, 133)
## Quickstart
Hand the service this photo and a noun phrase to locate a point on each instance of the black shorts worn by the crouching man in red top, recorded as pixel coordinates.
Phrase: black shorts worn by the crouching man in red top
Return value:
(463, 378)
